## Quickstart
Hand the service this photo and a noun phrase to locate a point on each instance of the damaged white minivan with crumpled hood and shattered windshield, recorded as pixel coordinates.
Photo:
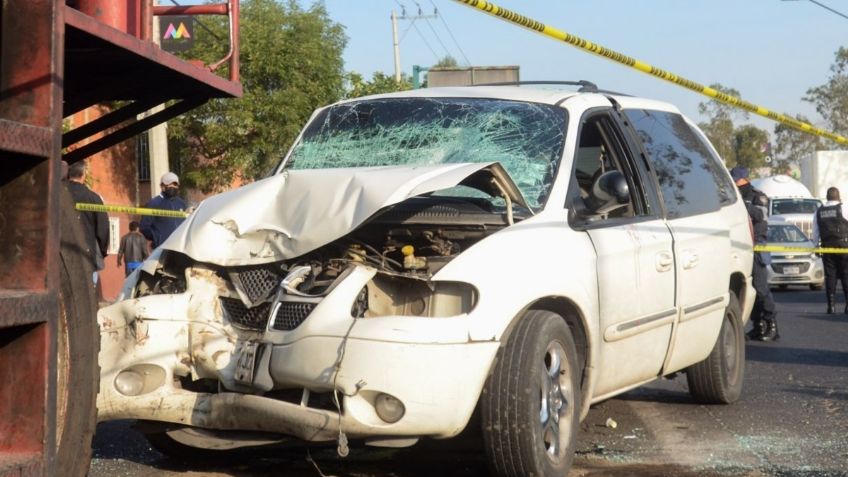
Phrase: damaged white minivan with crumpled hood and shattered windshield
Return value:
(511, 253)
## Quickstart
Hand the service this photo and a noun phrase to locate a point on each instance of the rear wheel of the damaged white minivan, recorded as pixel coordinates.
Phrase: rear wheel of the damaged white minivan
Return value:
(718, 379)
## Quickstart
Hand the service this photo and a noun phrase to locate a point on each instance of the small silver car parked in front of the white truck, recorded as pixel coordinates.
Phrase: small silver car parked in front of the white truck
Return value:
(792, 268)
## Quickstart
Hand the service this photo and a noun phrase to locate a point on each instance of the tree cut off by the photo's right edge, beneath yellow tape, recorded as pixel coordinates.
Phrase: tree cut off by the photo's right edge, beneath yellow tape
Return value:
(831, 98)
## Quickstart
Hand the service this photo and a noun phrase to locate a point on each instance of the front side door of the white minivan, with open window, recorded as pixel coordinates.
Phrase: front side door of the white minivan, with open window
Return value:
(635, 261)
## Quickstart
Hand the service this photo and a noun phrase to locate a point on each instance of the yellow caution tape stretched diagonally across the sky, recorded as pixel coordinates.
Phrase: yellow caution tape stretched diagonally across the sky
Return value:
(596, 49)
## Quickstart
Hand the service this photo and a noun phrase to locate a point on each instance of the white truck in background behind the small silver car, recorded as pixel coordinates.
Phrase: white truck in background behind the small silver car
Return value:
(790, 199)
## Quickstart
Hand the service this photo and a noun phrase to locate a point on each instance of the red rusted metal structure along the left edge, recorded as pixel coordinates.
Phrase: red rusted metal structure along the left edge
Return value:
(56, 58)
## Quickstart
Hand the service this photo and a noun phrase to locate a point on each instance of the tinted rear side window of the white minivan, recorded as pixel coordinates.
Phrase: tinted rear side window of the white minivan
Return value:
(692, 179)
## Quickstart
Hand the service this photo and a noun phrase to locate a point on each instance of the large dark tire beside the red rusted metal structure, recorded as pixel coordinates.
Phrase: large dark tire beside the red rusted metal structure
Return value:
(78, 343)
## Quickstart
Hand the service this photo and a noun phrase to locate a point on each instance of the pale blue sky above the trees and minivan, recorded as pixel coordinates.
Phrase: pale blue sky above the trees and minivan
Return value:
(772, 51)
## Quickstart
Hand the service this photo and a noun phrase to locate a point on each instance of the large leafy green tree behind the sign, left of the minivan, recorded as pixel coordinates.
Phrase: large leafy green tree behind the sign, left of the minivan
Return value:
(291, 63)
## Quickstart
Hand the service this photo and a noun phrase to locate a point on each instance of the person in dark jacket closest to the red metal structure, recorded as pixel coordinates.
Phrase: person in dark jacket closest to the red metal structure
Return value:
(95, 224)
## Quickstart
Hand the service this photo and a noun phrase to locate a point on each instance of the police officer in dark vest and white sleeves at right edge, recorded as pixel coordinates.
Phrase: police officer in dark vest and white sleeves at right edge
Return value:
(831, 227)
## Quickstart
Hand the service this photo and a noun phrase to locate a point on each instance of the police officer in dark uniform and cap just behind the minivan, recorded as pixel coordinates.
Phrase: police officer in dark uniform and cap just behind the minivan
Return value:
(764, 315)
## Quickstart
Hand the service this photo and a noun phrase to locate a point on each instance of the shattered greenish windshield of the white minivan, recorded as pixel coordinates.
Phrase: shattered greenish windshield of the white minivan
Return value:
(526, 138)
